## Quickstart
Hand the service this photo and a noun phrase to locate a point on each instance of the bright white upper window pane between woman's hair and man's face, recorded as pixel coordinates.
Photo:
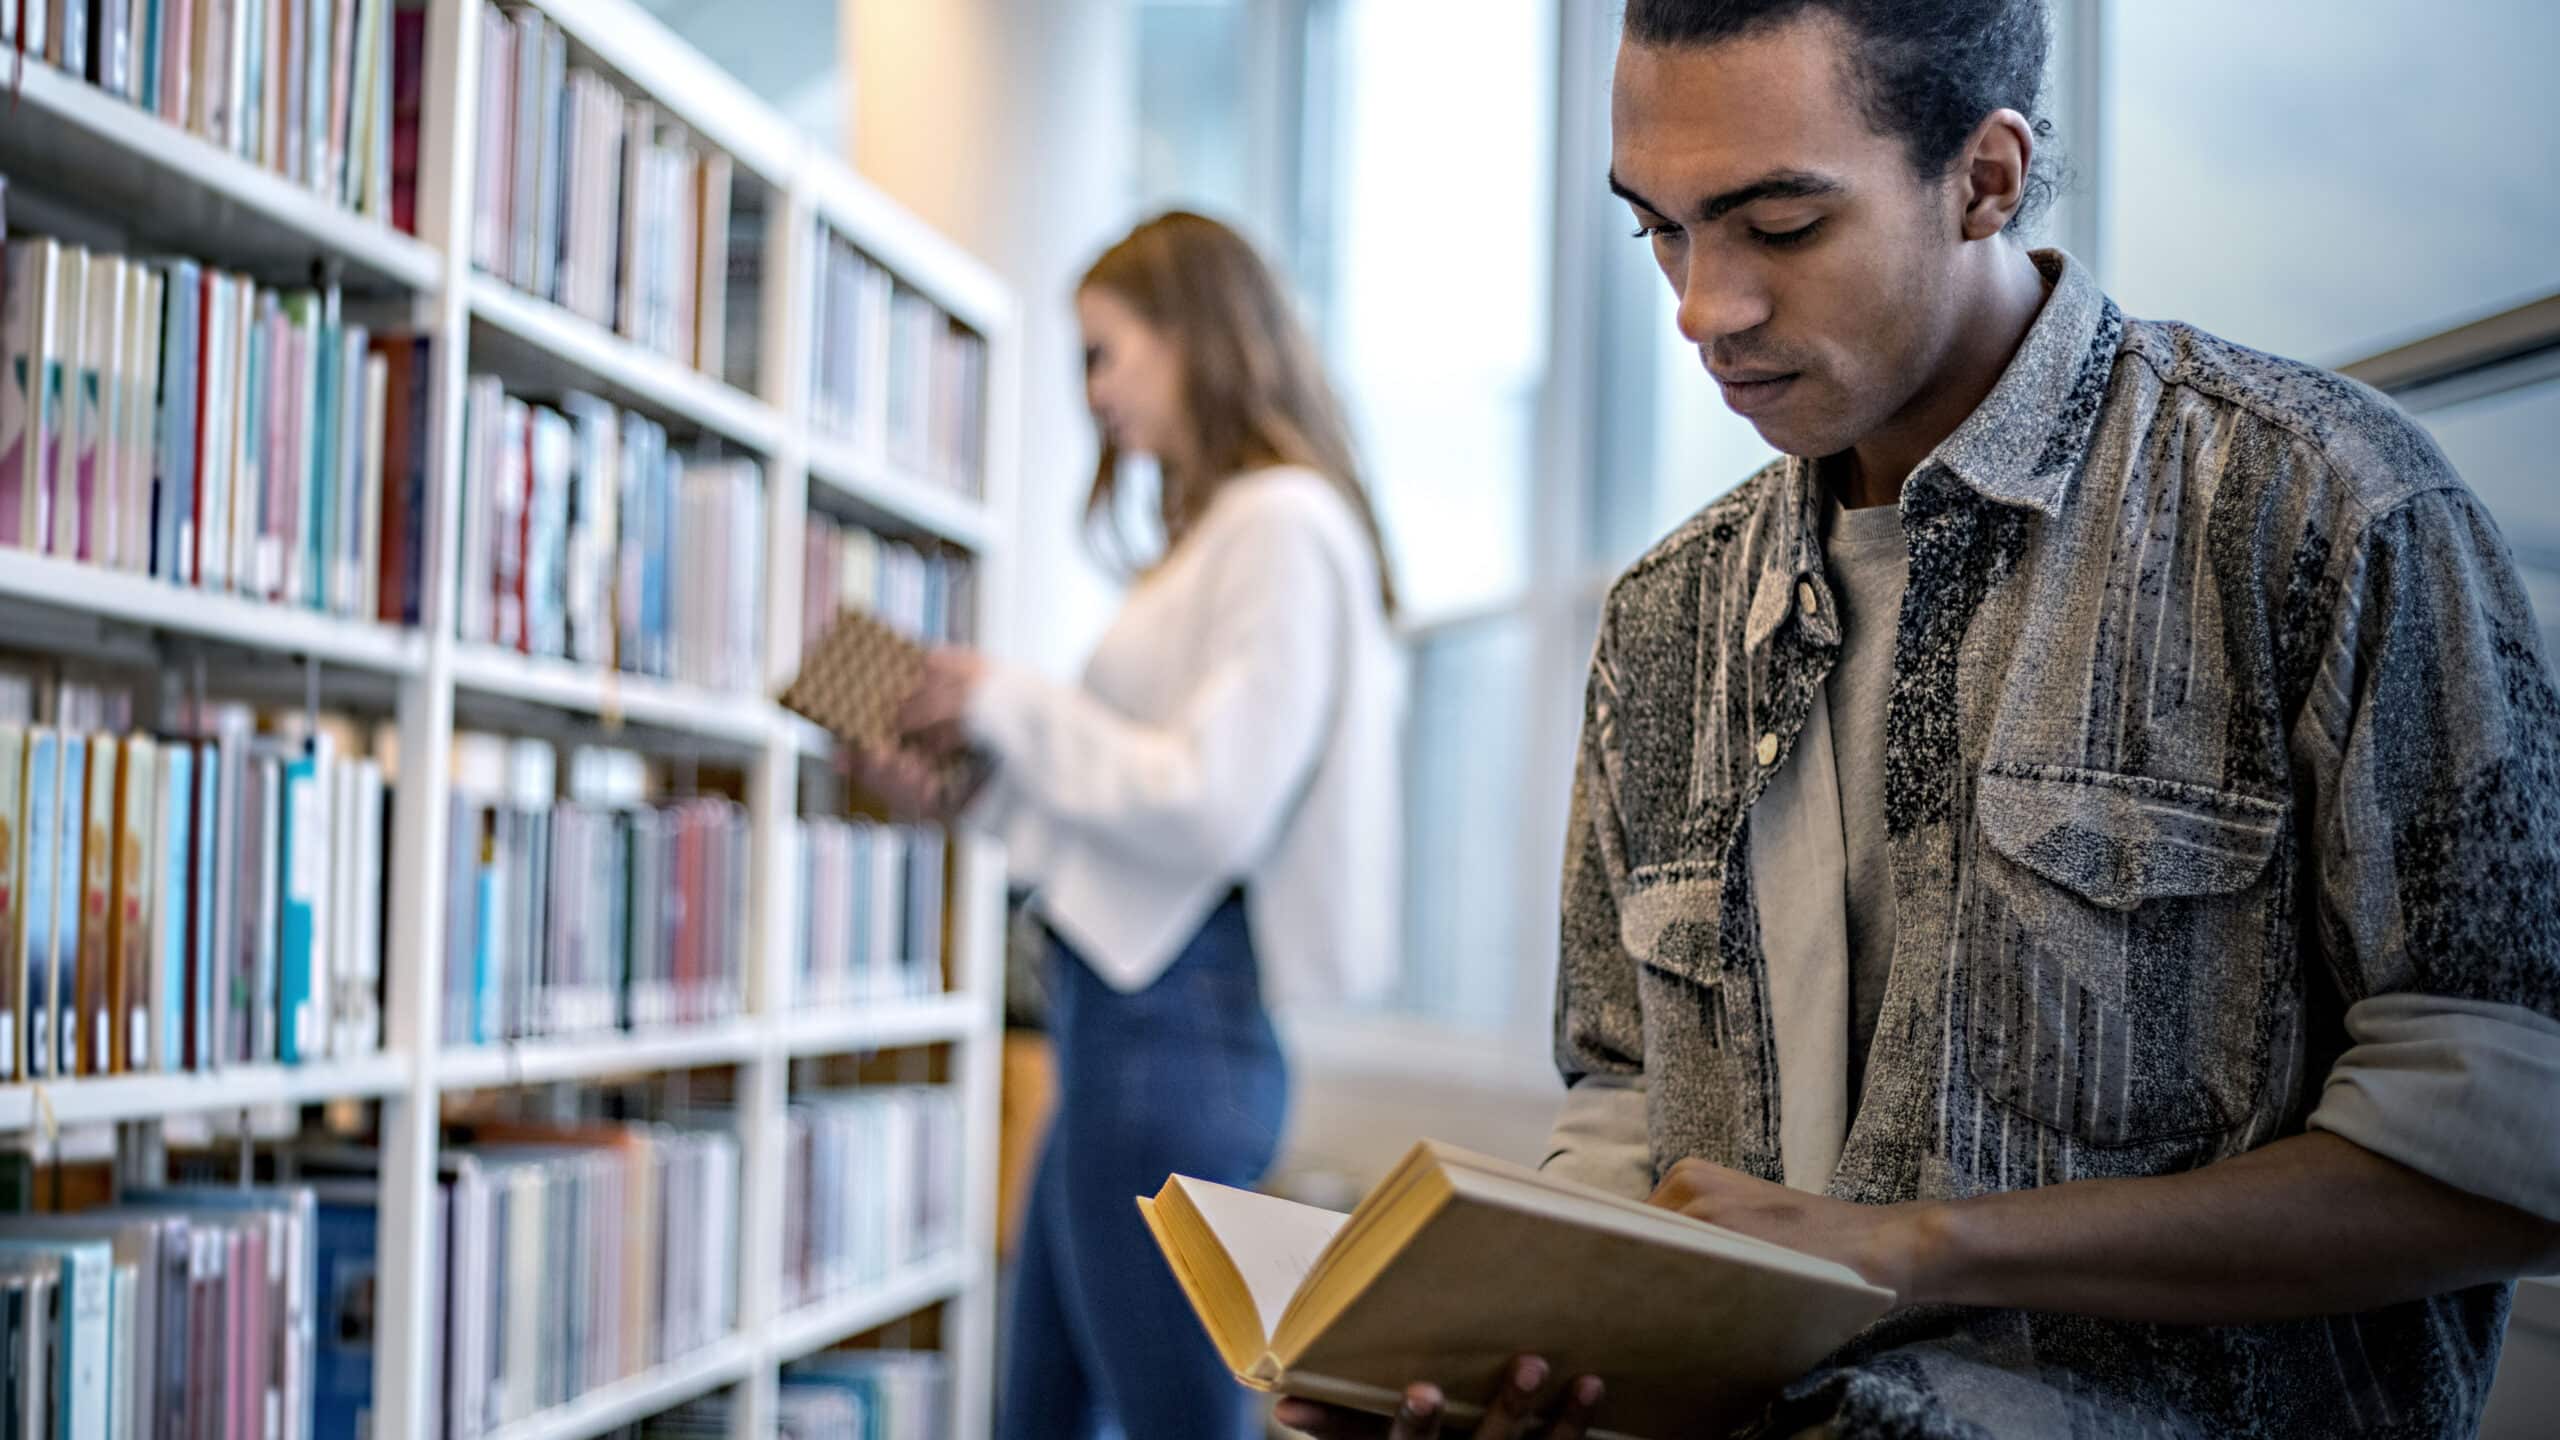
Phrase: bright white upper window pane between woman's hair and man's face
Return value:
(1435, 309)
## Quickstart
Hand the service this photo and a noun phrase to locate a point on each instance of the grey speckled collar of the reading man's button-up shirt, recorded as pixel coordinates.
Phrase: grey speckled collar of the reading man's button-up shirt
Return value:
(2019, 447)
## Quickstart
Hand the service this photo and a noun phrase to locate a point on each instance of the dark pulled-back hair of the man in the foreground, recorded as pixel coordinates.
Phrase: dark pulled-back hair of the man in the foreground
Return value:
(1929, 70)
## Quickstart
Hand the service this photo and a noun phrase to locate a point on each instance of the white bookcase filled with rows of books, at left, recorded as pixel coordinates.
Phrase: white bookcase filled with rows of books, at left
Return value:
(429, 432)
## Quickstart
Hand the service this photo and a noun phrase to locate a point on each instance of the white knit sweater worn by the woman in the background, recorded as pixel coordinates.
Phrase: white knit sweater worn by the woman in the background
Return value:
(1238, 724)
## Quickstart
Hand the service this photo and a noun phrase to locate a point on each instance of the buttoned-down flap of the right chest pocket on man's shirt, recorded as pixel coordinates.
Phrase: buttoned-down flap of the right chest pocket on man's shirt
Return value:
(2124, 839)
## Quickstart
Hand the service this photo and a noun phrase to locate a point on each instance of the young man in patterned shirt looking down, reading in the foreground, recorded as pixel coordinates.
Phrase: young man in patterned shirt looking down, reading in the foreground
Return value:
(2075, 839)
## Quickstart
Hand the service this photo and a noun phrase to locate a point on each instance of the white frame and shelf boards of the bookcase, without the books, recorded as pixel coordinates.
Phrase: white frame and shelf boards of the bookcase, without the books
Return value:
(163, 191)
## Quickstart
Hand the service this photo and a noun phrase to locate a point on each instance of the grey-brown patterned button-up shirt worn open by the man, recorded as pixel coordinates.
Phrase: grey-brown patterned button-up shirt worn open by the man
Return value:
(2216, 711)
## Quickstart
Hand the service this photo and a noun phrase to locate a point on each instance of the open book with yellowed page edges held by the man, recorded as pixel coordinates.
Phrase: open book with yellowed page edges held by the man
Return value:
(1460, 1262)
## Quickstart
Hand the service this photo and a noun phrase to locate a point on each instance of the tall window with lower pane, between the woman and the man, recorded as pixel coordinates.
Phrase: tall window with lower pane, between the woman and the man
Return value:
(1420, 237)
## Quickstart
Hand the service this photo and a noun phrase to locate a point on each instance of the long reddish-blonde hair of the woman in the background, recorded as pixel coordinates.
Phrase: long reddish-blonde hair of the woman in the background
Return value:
(1253, 386)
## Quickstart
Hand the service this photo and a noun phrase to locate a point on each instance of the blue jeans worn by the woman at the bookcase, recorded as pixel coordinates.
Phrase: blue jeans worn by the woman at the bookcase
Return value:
(1179, 1077)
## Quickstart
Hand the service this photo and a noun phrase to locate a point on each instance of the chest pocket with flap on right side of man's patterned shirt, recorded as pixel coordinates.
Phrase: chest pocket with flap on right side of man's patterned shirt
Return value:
(2121, 949)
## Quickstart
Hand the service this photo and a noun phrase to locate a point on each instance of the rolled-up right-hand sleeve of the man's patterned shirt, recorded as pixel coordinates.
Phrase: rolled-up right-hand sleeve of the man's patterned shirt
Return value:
(2433, 742)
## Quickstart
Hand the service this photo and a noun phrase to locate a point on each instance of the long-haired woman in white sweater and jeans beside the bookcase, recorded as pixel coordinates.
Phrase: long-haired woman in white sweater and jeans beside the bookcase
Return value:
(1210, 819)
